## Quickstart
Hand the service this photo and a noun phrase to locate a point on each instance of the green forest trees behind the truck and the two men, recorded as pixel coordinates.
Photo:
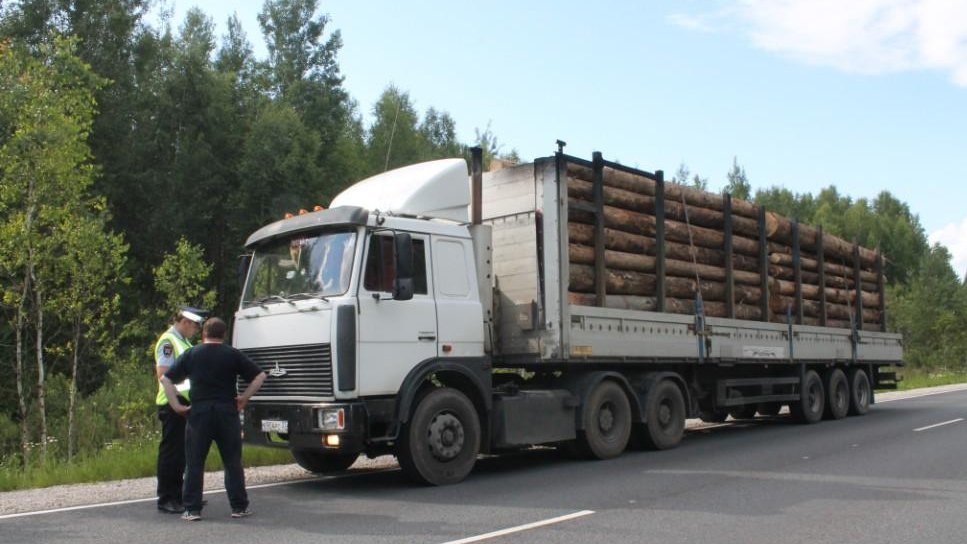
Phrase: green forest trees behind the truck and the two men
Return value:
(136, 157)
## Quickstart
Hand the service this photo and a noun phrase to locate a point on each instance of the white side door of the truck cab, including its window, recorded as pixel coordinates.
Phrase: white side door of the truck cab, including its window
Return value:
(394, 335)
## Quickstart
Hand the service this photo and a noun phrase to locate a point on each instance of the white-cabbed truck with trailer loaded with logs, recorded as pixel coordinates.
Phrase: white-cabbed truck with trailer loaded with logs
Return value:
(436, 314)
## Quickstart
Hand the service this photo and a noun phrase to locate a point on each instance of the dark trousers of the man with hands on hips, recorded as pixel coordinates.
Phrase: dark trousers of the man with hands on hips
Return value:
(218, 422)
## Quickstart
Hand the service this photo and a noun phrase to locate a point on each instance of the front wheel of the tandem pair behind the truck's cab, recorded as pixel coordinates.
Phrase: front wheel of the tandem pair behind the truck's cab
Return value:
(607, 423)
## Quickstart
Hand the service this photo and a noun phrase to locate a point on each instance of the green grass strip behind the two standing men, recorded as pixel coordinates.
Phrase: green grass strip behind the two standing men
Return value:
(118, 462)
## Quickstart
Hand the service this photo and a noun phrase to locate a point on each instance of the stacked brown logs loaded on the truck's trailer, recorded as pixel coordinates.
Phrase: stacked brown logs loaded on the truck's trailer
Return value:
(838, 282)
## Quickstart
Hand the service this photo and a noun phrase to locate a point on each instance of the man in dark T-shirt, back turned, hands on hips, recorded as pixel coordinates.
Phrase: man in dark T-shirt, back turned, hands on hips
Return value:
(213, 369)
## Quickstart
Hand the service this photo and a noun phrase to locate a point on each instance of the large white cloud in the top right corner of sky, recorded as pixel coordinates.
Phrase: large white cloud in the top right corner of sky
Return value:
(863, 36)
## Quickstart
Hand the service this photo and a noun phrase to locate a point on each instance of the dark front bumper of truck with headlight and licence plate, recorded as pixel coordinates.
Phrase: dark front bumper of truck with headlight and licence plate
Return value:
(337, 427)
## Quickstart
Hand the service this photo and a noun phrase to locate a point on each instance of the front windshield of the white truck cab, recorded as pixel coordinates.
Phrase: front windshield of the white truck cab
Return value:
(300, 267)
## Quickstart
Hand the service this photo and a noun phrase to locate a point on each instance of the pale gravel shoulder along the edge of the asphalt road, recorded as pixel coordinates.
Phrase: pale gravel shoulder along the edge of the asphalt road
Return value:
(63, 496)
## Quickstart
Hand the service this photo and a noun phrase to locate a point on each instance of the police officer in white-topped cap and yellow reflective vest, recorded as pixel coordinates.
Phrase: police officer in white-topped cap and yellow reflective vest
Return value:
(171, 451)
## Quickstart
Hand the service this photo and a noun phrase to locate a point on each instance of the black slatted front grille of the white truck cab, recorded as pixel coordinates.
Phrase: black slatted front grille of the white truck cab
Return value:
(294, 371)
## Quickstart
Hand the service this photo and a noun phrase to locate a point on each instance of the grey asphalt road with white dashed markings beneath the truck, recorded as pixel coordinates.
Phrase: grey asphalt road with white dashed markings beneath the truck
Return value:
(891, 476)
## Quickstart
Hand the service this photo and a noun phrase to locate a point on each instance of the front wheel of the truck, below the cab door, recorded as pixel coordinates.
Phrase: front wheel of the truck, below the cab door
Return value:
(439, 445)
